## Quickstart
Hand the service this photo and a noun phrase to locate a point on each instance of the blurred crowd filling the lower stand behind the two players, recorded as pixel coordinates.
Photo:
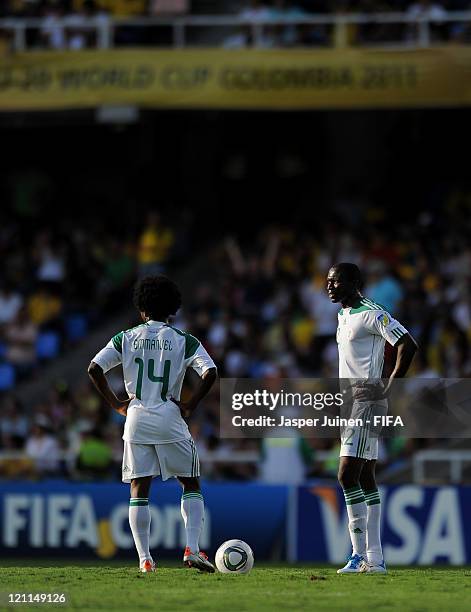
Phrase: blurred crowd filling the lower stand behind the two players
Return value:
(261, 310)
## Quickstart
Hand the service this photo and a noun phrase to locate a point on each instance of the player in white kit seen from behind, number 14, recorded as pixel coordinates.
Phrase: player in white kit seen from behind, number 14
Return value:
(155, 357)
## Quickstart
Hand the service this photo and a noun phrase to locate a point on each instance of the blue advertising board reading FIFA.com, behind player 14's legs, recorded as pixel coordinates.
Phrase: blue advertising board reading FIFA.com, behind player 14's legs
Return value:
(66, 519)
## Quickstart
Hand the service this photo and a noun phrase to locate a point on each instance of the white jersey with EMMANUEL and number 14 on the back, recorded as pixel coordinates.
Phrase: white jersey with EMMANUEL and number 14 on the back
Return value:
(155, 357)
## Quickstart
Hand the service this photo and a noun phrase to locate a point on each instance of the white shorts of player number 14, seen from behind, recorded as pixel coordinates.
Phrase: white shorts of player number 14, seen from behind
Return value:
(167, 460)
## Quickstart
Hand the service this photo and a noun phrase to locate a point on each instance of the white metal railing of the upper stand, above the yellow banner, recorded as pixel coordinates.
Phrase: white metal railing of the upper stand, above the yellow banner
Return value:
(105, 26)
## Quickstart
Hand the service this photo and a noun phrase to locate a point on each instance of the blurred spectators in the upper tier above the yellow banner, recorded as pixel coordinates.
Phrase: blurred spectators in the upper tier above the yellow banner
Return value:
(79, 15)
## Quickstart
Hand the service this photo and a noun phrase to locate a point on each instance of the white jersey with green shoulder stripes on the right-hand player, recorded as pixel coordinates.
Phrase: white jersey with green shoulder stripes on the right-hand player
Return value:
(361, 334)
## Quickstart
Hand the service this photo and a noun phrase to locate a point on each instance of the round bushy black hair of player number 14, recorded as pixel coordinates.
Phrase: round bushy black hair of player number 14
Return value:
(157, 296)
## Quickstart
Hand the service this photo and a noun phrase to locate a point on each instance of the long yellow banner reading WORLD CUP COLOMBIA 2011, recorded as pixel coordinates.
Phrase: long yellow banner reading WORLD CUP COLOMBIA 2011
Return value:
(216, 78)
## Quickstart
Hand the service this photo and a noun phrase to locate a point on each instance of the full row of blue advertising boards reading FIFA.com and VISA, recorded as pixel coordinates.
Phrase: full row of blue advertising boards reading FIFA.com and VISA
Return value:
(420, 525)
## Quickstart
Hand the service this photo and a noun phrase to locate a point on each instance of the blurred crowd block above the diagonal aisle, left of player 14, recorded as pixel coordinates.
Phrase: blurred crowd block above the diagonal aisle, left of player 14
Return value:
(47, 277)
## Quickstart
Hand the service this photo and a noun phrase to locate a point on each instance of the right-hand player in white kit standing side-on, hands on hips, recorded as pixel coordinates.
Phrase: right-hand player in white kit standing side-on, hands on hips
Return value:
(363, 328)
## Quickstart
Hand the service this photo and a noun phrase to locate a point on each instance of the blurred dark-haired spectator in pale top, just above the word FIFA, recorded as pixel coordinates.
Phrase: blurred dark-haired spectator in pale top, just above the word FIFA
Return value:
(42, 447)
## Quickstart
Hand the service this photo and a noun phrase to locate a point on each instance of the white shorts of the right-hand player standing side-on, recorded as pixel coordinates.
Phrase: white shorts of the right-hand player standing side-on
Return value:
(362, 441)
